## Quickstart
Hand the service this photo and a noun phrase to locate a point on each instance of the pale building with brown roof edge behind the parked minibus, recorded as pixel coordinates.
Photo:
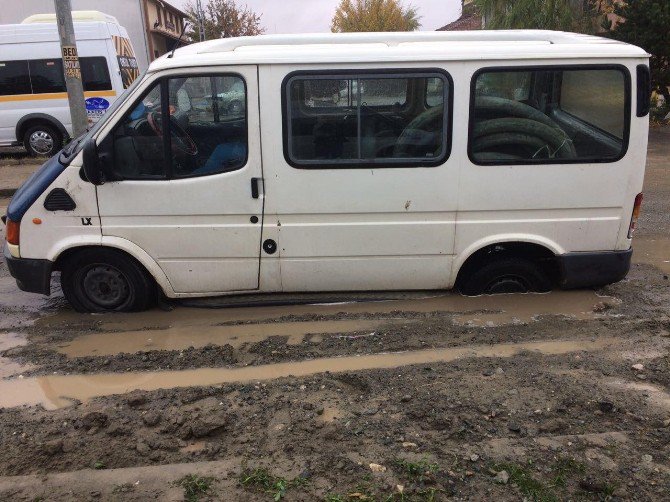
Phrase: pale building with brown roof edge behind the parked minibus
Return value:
(154, 26)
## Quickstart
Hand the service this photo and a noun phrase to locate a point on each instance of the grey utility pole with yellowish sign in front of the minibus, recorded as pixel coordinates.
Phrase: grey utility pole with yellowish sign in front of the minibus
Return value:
(71, 67)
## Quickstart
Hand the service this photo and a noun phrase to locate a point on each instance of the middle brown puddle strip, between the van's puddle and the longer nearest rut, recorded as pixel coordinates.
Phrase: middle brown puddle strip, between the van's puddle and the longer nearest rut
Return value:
(182, 337)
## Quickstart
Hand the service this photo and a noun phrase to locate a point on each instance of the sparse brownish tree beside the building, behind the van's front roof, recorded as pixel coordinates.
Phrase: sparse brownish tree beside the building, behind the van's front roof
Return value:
(225, 19)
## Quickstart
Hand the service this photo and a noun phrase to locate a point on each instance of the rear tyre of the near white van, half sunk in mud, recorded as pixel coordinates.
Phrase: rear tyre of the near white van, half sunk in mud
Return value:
(506, 275)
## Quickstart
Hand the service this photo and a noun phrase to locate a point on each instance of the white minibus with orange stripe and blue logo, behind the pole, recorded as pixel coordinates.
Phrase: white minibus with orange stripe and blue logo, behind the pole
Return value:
(34, 109)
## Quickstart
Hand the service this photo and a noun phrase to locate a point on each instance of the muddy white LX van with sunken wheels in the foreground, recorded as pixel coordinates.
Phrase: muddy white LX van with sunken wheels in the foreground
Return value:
(490, 161)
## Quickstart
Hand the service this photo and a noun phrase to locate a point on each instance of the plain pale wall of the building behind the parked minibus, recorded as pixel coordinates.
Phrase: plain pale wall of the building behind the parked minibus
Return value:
(127, 12)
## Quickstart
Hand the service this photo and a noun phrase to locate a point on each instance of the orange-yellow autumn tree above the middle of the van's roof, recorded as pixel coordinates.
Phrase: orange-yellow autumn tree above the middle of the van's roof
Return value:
(374, 15)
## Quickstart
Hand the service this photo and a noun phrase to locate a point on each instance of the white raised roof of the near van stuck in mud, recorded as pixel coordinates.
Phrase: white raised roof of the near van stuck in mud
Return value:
(397, 47)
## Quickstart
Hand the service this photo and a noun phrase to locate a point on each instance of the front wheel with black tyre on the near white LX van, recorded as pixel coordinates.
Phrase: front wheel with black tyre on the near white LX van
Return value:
(106, 280)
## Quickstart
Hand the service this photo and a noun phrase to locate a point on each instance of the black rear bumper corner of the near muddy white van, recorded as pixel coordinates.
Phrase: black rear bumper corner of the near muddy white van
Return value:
(581, 270)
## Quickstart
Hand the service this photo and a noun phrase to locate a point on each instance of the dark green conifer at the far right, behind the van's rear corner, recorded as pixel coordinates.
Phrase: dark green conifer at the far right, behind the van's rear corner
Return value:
(645, 23)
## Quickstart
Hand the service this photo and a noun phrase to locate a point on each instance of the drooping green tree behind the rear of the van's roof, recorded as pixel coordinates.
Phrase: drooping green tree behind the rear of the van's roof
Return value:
(583, 16)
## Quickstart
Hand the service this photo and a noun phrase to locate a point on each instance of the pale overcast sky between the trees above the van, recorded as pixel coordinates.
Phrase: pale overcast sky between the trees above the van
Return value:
(306, 16)
